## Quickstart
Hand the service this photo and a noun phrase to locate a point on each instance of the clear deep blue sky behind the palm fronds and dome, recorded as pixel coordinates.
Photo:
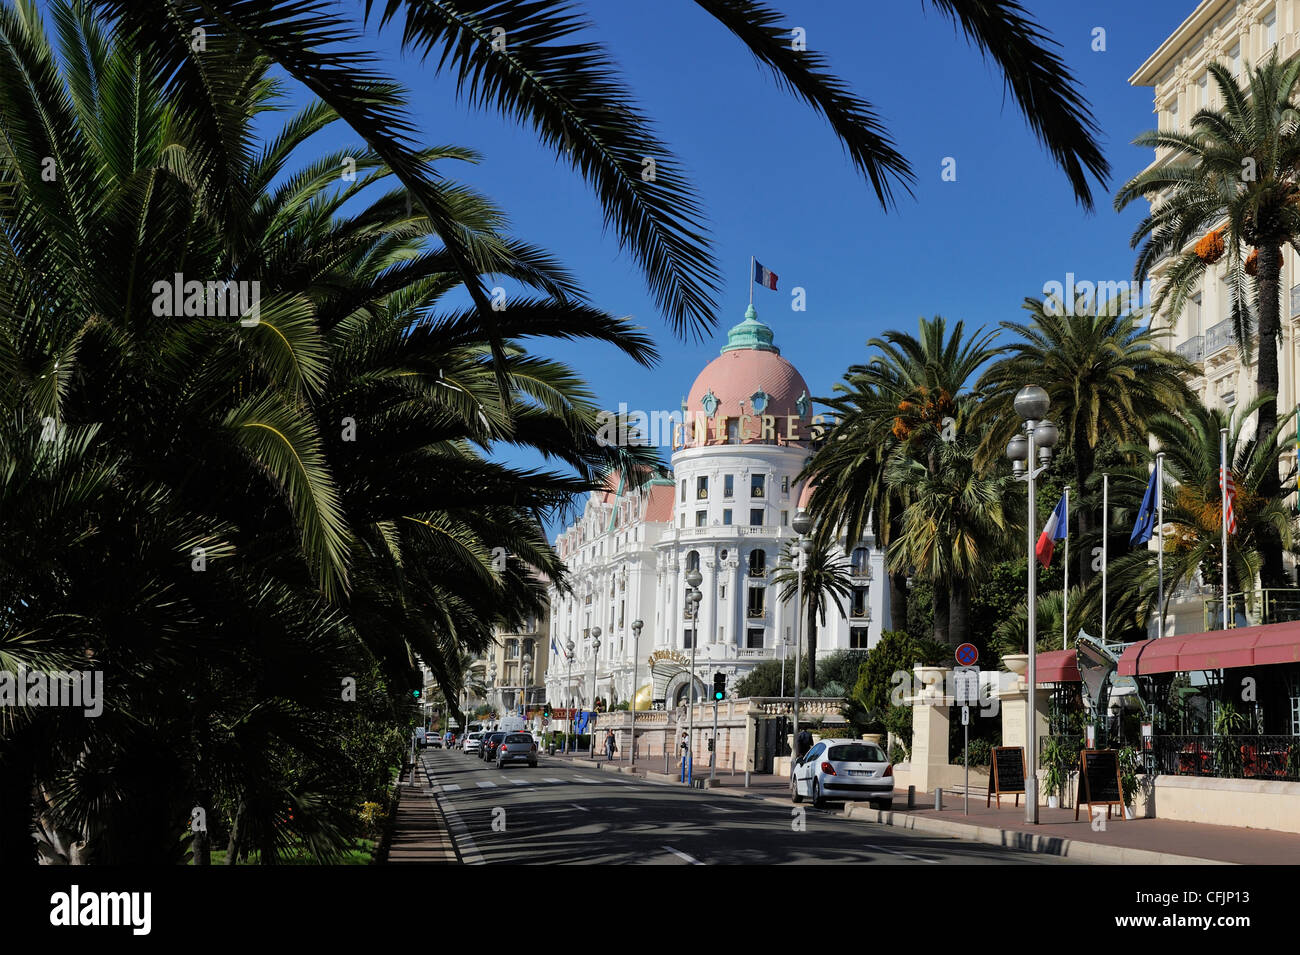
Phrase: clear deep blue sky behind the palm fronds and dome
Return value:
(777, 185)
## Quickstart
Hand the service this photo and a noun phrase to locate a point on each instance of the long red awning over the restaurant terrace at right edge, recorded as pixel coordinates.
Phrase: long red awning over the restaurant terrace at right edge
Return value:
(1247, 646)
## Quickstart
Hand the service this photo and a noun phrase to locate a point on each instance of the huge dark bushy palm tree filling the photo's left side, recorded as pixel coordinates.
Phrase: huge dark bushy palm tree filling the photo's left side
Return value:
(265, 510)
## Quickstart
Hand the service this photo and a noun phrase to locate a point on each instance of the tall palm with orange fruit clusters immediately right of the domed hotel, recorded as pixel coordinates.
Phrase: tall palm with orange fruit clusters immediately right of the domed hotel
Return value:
(904, 403)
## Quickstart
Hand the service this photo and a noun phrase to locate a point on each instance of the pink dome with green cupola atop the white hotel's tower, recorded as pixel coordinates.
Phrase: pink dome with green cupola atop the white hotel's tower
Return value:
(751, 381)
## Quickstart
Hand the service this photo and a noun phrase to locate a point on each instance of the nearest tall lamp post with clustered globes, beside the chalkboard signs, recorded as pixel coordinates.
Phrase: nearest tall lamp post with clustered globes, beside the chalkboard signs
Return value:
(1041, 436)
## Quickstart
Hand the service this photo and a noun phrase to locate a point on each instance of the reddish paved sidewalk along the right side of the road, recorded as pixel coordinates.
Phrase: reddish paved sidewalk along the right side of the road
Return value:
(1124, 843)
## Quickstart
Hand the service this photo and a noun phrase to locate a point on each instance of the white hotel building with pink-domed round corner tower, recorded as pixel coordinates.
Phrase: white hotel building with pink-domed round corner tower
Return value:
(726, 513)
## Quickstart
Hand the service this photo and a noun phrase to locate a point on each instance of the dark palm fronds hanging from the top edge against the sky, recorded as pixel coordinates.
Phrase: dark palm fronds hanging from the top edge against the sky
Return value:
(532, 64)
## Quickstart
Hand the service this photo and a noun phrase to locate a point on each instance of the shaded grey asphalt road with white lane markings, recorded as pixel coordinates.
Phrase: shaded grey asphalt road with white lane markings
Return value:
(558, 814)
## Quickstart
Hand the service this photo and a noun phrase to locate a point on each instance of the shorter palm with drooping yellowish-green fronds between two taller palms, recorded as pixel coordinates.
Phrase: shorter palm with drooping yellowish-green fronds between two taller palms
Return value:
(952, 531)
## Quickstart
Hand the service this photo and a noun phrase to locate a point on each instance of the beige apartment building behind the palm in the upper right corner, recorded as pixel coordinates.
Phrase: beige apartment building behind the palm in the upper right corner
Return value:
(1237, 33)
